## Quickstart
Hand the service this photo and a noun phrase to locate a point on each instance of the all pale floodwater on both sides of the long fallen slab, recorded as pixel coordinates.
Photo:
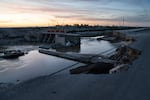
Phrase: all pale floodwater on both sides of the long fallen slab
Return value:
(35, 64)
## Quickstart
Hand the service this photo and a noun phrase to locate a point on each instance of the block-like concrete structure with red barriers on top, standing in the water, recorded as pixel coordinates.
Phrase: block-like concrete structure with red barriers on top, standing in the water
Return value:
(60, 37)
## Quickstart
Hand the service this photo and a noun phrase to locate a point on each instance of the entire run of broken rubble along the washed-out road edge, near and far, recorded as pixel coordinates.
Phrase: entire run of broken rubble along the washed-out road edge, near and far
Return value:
(124, 57)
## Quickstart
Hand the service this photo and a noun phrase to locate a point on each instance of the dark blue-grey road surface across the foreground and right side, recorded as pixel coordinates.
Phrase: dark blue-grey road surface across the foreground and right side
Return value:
(133, 84)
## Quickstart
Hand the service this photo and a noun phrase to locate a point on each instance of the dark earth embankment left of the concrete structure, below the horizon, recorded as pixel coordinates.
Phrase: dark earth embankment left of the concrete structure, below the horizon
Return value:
(20, 36)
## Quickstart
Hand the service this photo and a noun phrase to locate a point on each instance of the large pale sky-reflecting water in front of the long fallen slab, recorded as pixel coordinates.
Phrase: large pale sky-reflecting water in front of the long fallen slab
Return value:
(31, 65)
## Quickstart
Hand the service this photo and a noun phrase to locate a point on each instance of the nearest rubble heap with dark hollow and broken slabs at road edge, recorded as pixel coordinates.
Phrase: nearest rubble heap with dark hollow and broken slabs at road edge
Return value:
(124, 56)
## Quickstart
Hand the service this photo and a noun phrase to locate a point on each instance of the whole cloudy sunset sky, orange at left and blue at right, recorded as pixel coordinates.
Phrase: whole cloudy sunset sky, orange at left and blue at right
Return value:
(23, 13)
